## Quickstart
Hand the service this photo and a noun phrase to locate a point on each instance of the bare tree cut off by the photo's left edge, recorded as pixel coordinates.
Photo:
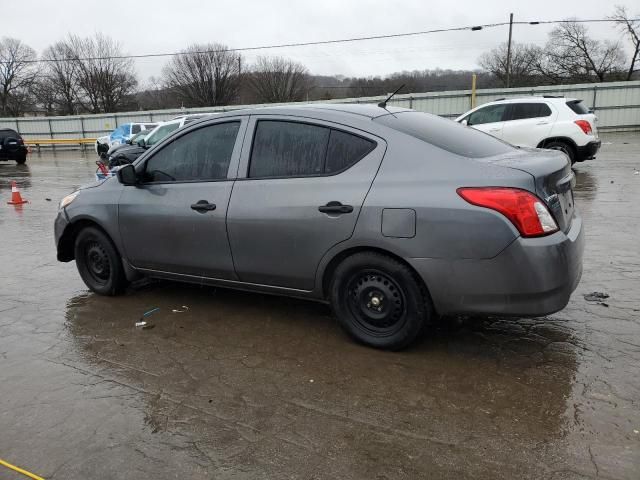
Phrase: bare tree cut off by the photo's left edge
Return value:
(17, 74)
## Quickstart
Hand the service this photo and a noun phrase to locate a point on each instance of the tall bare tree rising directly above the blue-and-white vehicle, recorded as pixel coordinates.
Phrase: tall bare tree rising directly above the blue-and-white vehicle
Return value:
(105, 80)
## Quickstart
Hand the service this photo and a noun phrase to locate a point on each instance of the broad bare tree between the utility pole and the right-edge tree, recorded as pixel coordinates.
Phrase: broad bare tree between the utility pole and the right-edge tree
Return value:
(572, 54)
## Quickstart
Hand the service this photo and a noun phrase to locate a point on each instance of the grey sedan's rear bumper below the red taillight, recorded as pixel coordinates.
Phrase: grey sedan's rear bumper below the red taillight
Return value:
(531, 277)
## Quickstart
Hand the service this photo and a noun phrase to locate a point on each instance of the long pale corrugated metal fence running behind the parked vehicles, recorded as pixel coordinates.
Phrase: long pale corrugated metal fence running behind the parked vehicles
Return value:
(617, 105)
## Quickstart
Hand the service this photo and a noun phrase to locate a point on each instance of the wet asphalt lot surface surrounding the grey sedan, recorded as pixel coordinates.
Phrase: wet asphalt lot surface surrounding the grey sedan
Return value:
(245, 386)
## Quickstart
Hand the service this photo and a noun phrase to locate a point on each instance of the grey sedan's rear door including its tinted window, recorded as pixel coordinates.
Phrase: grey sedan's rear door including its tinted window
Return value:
(304, 184)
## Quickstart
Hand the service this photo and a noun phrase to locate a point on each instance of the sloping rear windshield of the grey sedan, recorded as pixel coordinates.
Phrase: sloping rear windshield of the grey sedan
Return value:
(446, 134)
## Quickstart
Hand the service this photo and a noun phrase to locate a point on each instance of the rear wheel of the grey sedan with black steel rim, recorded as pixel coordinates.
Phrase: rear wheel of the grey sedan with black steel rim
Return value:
(379, 301)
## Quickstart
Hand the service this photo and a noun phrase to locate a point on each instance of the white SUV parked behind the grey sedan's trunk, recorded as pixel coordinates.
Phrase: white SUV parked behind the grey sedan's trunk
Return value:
(541, 122)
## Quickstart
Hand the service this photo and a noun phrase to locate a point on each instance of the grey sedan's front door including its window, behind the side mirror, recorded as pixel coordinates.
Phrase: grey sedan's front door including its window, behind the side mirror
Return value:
(174, 221)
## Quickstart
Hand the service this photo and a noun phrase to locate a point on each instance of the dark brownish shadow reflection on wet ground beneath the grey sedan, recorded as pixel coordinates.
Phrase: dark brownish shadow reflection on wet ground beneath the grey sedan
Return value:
(247, 357)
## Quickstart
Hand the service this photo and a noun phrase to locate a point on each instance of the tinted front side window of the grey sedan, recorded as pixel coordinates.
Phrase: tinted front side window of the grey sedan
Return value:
(201, 155)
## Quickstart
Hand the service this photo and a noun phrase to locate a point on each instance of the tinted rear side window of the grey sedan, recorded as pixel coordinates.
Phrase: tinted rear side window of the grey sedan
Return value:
(293, 149)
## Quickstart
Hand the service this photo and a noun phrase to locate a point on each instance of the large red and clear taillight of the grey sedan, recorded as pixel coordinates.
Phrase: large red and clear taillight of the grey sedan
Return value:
(526, 211)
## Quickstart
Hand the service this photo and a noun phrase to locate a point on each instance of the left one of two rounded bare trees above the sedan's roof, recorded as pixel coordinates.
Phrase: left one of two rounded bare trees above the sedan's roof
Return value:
(204, 75)
